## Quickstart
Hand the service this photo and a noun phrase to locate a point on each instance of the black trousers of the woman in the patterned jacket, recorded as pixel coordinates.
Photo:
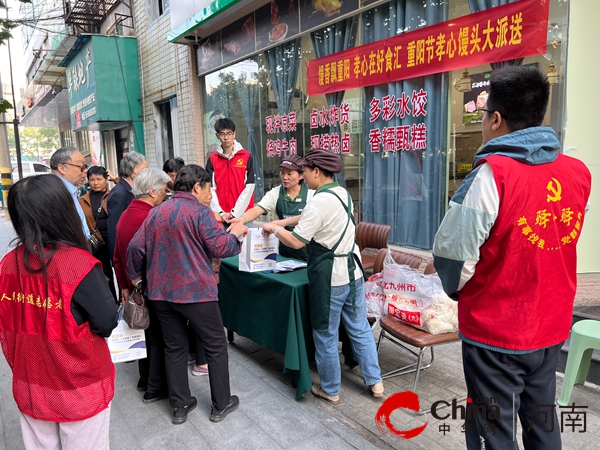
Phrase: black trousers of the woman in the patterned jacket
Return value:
(205, 318)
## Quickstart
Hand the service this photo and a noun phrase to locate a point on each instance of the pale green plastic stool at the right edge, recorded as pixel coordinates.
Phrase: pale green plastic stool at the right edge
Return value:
(585, 337)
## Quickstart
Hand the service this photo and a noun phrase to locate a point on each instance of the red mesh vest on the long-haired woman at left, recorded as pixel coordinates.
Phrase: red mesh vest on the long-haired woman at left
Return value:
(62, 372)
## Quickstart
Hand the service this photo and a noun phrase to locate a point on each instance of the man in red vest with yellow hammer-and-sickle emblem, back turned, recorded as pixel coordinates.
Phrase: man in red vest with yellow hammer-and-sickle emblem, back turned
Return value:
(507, 247)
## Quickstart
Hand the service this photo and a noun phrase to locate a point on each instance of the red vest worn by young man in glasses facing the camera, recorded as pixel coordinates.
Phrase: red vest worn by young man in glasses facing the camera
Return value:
(230, 178)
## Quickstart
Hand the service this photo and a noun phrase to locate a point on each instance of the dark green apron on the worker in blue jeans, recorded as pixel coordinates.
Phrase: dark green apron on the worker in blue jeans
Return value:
(320, 266)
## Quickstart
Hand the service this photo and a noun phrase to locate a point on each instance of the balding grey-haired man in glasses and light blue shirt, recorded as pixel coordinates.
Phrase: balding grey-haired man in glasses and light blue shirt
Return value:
(69, 165)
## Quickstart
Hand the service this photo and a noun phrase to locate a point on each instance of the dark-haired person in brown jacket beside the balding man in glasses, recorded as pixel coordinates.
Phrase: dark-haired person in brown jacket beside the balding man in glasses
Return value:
(95, 210)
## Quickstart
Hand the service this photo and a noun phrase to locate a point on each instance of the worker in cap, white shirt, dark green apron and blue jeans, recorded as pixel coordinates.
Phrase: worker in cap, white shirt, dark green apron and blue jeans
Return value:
(335, 273)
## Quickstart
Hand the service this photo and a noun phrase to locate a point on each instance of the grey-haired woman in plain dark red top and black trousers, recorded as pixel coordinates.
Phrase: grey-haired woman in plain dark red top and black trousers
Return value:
(149, 188)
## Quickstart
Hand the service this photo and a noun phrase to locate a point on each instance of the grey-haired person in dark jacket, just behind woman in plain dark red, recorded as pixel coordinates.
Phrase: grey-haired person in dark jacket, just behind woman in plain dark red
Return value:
(121, 195)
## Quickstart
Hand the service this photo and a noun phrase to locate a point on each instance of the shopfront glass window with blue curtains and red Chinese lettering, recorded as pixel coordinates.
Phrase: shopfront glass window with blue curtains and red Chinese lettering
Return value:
(406, 145)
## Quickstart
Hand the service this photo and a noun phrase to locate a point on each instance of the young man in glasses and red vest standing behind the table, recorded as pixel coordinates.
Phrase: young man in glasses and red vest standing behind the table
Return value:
(232, 174)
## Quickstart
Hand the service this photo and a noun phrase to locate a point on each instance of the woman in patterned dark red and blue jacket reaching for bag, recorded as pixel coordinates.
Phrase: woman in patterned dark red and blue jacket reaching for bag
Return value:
(182, 286)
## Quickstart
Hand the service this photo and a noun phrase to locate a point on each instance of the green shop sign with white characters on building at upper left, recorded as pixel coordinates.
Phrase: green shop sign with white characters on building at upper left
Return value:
(81, 83)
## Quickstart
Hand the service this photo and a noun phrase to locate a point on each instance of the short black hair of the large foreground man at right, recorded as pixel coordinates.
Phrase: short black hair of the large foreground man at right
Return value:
(520, 94)
